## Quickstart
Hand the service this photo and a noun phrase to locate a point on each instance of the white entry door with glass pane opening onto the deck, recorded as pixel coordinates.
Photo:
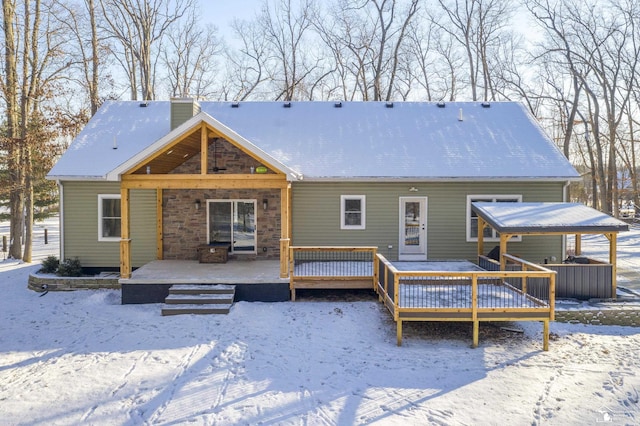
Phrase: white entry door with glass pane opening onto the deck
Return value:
(413, 228)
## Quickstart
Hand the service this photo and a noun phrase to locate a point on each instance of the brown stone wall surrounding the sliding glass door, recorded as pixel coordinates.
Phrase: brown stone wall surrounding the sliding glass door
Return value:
(185, 228)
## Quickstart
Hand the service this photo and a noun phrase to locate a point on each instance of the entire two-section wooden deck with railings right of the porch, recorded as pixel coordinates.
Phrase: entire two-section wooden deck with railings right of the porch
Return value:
(431, 291)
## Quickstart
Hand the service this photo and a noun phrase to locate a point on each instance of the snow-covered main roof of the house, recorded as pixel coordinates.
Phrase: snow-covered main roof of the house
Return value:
(415, 140)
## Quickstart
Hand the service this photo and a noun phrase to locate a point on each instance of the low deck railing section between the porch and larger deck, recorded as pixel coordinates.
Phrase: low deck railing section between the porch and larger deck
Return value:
(332, 267)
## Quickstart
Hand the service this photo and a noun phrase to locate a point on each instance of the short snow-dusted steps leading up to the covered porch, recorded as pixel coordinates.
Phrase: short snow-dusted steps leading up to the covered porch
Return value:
(198, 299)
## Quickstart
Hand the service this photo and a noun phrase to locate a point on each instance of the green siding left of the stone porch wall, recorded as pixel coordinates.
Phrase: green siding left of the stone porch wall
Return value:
(80, 239)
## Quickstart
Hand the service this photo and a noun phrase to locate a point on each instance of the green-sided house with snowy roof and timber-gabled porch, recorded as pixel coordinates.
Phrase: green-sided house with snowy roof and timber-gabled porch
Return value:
(159, 180)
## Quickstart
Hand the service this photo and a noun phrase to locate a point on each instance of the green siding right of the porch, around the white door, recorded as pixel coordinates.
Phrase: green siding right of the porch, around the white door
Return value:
(316, 216)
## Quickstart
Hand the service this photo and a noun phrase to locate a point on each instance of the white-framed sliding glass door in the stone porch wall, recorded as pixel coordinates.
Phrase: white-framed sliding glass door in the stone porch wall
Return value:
(233, 222)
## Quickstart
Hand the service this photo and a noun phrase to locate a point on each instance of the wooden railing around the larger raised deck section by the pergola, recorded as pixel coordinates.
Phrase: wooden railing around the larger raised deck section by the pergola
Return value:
(525, 295)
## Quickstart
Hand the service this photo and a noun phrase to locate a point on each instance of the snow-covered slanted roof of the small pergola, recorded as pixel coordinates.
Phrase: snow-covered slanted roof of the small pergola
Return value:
(516, 218)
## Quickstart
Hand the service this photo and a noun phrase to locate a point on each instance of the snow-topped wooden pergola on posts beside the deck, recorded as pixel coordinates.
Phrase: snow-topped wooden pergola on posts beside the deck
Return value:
(511, 219)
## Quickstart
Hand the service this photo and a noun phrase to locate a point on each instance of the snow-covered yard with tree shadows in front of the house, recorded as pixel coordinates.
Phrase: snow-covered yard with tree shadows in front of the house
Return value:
(80, 357)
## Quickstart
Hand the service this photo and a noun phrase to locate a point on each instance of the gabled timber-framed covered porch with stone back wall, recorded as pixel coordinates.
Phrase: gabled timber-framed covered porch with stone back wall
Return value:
(214, 190)
